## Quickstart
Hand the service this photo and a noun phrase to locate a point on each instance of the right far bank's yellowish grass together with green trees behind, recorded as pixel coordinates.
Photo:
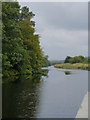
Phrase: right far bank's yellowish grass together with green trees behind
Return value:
(77, 62)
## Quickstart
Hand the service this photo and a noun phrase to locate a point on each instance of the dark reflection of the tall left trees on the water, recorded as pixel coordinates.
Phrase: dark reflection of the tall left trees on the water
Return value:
(20, 99)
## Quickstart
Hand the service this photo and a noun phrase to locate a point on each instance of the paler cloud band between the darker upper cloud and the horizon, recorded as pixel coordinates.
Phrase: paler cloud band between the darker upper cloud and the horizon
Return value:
(67, 43)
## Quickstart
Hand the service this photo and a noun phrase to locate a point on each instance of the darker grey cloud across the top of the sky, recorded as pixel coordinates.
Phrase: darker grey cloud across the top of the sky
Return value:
(63, 15)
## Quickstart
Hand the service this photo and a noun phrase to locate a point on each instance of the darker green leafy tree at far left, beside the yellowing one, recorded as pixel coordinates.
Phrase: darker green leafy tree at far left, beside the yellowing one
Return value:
(11, 37)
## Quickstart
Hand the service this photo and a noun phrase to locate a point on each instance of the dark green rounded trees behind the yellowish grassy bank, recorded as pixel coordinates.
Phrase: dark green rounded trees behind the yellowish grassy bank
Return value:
(76, 59)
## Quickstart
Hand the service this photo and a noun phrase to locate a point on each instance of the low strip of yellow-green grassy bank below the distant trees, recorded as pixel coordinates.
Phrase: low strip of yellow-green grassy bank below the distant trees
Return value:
(72, 66)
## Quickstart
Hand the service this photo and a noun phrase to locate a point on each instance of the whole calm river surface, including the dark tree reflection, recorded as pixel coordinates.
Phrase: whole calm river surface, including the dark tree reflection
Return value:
(55, 96)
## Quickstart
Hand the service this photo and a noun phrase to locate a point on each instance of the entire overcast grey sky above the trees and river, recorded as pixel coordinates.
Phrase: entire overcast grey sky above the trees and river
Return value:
(63, 27)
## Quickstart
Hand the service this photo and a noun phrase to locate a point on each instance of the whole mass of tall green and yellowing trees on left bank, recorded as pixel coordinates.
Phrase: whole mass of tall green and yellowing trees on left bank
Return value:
(21, 52)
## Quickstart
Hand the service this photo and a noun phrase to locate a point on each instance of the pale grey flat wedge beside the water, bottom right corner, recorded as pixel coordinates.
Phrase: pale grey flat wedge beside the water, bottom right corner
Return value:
(83, 110)
